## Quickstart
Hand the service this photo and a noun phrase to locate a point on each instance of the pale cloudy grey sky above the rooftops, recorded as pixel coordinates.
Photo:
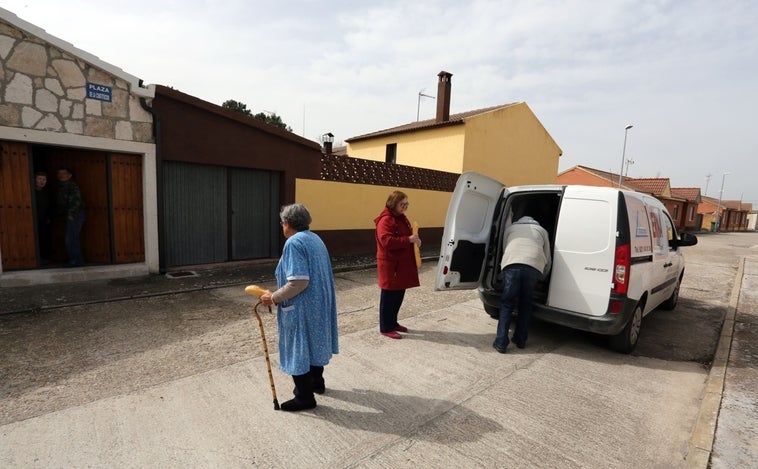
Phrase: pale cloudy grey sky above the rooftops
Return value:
(682, 72)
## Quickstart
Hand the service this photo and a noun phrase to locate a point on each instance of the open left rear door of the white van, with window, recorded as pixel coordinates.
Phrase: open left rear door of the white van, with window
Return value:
(466, 236)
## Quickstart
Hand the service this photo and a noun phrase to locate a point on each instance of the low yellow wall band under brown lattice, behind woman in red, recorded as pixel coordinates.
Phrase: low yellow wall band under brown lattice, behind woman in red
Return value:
(345, 206)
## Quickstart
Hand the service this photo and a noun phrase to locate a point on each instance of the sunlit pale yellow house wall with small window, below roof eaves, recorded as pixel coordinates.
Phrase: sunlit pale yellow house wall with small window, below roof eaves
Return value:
(440, 148)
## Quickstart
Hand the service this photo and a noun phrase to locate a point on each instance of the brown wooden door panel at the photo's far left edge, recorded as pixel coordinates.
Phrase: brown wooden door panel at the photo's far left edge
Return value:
(17, 235)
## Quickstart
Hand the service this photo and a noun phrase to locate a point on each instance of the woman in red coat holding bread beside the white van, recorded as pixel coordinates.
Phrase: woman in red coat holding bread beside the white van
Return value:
(395, 261)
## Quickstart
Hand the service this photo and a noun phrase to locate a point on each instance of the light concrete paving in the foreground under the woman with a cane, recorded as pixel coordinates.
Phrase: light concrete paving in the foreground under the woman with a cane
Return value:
(440, 397)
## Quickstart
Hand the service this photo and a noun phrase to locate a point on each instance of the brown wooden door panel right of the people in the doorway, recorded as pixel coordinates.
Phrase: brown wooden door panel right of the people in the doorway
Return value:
(128, 218)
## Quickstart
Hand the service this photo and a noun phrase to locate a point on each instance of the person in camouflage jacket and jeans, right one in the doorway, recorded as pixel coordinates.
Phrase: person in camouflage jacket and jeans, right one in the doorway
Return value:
(71, 206)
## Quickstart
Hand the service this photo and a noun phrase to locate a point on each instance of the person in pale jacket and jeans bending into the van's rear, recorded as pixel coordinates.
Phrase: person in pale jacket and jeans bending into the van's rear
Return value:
(526, 259)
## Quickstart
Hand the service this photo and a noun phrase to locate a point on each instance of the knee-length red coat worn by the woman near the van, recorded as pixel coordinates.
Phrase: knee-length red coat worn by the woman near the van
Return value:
(395, 261)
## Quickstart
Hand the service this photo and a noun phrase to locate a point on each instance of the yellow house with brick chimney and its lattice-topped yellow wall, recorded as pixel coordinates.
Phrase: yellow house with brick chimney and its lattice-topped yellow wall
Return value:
(505, 142)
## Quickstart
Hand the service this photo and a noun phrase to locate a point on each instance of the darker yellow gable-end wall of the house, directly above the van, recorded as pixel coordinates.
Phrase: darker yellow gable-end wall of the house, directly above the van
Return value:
(511, 145)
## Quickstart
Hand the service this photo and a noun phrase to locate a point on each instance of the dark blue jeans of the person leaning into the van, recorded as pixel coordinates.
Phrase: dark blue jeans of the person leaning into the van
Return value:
(519, 281)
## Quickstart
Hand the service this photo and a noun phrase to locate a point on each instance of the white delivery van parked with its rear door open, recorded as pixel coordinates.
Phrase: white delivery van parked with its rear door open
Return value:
(616, 253)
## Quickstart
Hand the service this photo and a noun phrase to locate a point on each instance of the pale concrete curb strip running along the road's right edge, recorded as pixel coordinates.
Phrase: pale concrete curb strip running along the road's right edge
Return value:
(704, 432)
